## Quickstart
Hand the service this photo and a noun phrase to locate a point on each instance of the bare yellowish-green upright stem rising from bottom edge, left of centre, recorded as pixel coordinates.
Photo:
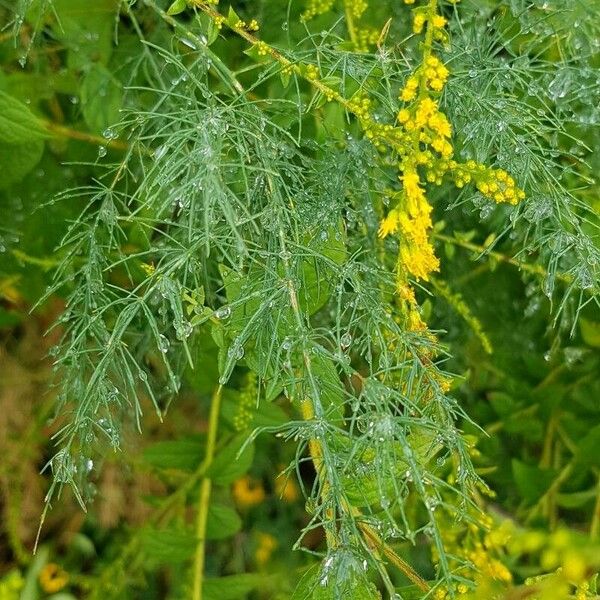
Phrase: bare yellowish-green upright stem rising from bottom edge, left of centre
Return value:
(205, 489)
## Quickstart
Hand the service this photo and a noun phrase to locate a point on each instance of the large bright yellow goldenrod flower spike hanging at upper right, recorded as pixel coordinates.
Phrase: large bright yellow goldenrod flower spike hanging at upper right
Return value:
(423, 139)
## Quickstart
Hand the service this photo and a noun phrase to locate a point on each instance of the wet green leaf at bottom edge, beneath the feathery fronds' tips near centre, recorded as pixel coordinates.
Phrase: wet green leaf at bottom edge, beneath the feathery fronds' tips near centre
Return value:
(355, 586)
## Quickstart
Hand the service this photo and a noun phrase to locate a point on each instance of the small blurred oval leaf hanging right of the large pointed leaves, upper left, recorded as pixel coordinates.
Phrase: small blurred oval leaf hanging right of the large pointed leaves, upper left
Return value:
(101, 98)
